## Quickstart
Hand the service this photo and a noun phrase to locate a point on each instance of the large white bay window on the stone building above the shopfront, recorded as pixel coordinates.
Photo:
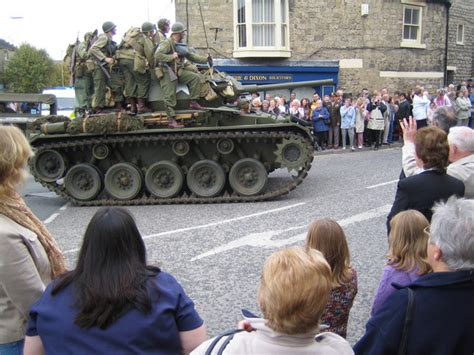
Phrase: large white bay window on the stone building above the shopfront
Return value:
(261, 28)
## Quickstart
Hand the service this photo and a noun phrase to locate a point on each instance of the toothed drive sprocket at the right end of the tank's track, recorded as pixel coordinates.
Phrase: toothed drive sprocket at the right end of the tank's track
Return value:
(291, 153)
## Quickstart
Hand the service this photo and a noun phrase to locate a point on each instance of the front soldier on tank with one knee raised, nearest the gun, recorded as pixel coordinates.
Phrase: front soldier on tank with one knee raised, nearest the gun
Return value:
(177, 67)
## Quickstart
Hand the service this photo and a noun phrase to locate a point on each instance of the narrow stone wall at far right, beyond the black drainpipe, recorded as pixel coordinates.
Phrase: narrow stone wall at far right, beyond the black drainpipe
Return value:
(461, 56)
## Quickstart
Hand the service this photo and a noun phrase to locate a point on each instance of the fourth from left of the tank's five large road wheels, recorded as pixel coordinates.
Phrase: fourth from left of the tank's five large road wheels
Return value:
(206, 178)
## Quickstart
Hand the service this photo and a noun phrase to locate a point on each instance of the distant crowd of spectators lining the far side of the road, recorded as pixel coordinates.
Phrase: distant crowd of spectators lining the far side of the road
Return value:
(368, 119)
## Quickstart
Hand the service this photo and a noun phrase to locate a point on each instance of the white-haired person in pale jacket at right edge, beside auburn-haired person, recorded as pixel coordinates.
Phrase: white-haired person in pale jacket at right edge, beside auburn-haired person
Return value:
(461, 154)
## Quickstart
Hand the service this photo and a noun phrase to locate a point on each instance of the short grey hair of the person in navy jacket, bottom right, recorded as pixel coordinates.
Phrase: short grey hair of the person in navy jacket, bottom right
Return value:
(452, 229)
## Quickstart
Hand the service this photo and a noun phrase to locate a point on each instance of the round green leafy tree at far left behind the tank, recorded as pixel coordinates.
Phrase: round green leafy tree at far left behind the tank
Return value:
(29, 70)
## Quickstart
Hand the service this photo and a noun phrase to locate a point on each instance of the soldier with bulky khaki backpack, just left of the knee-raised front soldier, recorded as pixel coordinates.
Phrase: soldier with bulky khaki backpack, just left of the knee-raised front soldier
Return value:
(135, 55)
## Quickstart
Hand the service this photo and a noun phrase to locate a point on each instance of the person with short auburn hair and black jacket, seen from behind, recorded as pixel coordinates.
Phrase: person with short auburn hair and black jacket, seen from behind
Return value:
(432, 184)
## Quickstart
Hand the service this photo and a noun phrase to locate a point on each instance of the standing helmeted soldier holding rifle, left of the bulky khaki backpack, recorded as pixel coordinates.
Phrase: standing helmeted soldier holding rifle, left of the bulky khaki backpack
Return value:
(106, 71)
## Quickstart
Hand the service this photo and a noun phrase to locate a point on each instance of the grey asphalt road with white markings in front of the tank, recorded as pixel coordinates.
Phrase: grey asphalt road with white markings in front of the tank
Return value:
(217, 251)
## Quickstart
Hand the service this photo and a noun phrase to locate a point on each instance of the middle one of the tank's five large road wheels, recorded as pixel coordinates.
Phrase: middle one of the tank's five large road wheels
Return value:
(164, 179)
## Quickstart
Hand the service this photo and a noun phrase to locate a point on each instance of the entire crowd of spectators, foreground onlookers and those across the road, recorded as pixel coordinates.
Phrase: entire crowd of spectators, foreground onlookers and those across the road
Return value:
(113, 301)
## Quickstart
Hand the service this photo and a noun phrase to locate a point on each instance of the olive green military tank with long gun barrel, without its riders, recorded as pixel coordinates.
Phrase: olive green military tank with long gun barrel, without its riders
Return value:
(221, 155)
